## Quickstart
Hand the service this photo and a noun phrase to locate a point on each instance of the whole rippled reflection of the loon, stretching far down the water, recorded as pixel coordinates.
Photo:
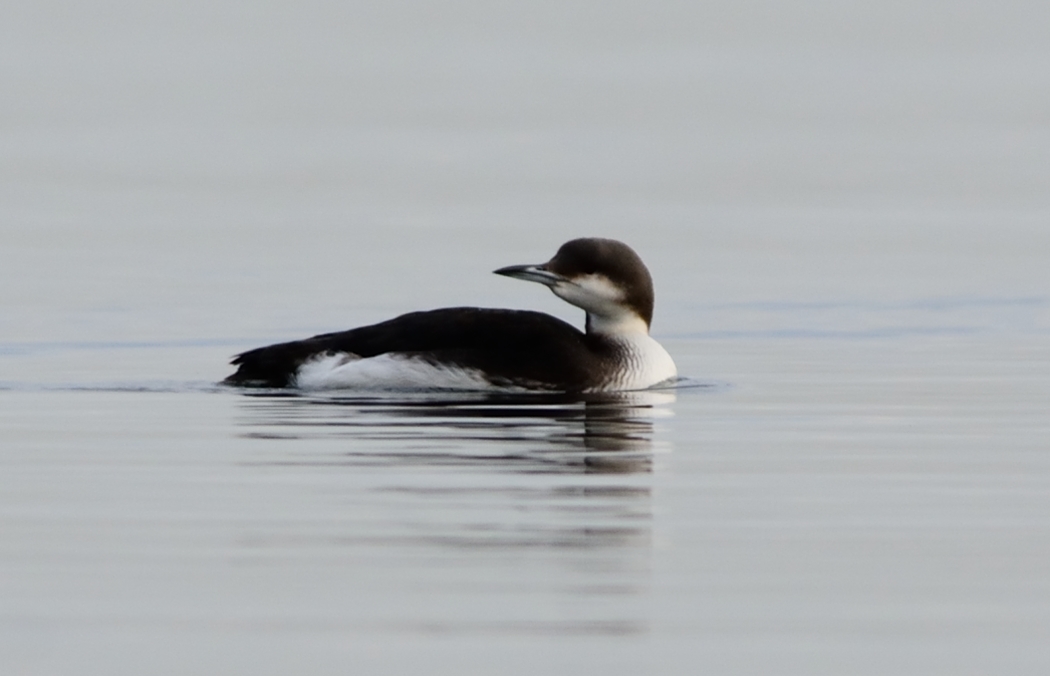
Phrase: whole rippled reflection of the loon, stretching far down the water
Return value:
(477, 499)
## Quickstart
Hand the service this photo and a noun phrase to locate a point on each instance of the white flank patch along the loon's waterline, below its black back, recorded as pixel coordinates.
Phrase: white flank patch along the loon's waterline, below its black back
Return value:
(385, 372)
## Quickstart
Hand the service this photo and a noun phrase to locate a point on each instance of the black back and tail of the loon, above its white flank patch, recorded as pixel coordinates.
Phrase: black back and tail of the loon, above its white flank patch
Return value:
(511, 347)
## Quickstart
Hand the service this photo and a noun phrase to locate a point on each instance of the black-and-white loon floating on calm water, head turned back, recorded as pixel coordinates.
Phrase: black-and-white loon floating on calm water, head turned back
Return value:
(487, 349)
